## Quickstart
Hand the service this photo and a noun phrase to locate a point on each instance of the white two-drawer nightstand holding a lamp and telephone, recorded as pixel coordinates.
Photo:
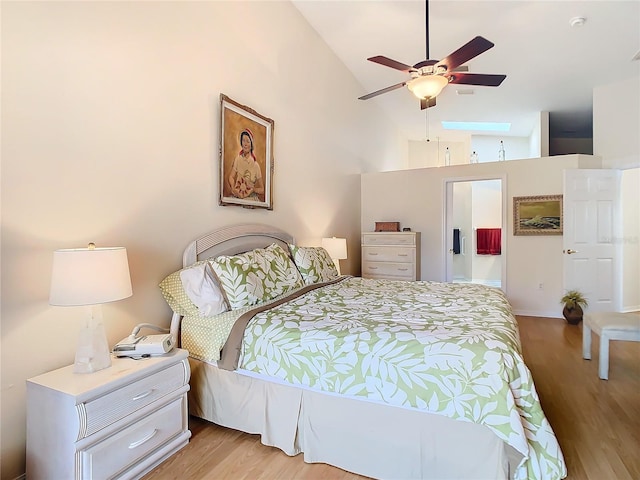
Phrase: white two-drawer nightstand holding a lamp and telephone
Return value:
(119, 422)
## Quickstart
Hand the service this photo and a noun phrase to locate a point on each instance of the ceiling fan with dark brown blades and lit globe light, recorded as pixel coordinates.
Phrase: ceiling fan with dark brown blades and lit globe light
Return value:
(428, 77)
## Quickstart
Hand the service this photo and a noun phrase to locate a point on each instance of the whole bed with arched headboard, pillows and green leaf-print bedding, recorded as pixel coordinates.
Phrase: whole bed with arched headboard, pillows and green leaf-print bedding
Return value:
(386, 379)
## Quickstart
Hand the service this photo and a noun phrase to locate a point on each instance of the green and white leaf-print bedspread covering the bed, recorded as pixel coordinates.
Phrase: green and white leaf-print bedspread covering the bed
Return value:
(449, 349)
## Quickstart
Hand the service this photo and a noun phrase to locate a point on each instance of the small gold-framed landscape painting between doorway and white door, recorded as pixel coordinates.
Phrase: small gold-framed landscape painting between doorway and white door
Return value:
(538, 215)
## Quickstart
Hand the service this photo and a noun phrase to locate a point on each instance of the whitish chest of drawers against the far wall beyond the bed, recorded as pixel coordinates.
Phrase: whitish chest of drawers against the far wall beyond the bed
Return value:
(391, 255)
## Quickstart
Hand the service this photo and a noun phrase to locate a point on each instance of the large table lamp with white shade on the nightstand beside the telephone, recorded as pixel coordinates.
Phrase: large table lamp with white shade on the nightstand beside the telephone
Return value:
(90, 276)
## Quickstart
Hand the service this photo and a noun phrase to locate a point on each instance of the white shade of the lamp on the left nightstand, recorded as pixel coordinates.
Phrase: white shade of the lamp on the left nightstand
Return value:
(89, 276)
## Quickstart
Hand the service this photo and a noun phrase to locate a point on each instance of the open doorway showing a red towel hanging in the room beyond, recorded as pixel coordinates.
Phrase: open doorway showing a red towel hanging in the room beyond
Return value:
(475, 207)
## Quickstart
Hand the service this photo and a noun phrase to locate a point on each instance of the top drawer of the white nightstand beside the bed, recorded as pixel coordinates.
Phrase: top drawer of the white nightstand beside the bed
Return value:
(109, 408)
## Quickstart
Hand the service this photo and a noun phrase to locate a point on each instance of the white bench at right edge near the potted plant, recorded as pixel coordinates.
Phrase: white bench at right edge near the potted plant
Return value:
(609, 326)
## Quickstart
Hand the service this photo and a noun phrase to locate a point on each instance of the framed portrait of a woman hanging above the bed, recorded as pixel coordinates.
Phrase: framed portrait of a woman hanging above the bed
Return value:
(246, 156)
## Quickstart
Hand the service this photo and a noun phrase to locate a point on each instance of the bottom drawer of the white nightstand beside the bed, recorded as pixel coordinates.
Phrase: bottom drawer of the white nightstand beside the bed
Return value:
(118, 452)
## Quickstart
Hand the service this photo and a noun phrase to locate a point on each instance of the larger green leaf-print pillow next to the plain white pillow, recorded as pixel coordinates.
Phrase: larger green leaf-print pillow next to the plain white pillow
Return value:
(256, 276)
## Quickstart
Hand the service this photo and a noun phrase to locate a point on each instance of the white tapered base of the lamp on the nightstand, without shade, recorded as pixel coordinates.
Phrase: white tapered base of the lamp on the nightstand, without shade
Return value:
(92, 352)
